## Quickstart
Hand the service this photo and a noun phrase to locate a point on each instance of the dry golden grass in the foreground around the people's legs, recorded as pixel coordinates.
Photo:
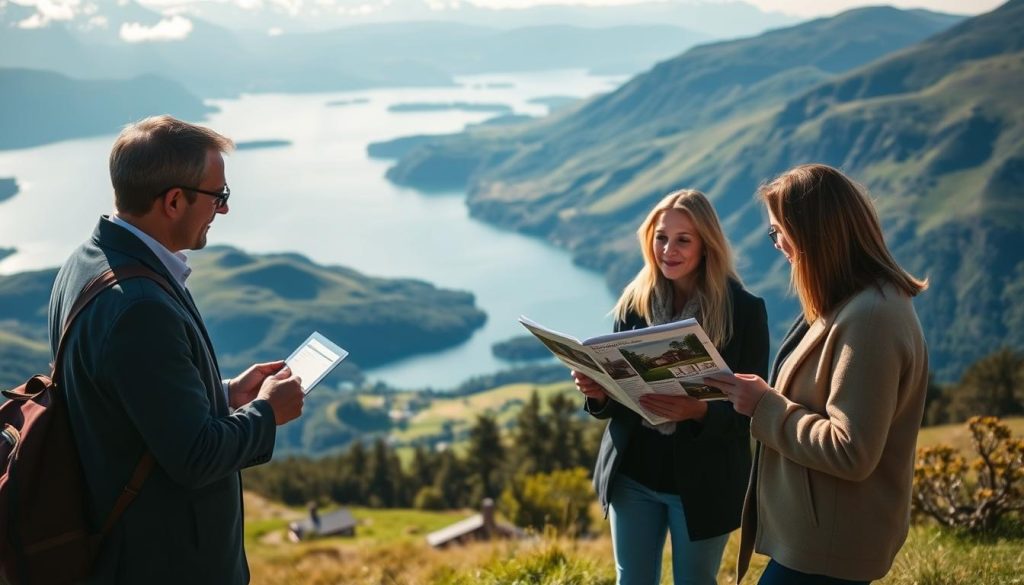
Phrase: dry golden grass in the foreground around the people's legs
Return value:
(391, 549)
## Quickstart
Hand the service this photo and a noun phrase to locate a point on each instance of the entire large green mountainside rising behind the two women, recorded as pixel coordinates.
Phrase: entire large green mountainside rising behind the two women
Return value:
(933, 130)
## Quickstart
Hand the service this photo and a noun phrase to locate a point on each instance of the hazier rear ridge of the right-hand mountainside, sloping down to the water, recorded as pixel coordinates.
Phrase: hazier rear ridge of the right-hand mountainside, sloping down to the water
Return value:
(571, 152)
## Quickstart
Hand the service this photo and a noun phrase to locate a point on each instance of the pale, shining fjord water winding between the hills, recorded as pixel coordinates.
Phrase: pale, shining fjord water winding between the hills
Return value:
(323, 197)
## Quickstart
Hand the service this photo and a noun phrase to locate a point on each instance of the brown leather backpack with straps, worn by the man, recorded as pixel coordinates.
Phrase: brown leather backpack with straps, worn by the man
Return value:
(47, 535)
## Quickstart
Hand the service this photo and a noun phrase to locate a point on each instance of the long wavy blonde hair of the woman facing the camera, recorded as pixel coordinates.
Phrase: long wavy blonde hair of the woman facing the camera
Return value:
(712, 283)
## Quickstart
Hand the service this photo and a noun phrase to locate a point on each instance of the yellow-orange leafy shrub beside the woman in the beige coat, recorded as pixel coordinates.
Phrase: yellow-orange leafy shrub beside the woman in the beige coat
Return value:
(976, 496)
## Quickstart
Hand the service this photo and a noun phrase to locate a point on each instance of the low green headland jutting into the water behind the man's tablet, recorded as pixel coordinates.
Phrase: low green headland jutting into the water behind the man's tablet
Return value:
(260, 308)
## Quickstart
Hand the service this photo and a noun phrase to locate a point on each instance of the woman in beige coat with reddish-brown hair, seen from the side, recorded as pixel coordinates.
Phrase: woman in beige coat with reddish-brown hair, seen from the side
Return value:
(830, 494)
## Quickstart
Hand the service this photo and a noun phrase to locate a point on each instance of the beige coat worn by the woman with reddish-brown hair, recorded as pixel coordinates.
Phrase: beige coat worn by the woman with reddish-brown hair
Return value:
(831, 490)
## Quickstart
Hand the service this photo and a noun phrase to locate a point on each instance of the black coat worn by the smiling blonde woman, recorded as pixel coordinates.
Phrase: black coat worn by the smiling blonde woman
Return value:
(713, 457)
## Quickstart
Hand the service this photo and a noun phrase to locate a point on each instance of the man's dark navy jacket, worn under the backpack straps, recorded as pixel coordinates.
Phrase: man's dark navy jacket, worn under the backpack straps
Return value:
(141, 375)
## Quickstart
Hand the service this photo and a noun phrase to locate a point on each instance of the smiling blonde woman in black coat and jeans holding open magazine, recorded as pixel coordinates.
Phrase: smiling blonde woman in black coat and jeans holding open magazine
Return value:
(687, 477)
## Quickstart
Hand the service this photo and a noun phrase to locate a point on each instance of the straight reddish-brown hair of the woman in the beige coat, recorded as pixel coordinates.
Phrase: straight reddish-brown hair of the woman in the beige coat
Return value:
(837, 237)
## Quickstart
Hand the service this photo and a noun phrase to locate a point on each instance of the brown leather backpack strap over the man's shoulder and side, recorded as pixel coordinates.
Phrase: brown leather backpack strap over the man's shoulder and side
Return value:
(105, 281)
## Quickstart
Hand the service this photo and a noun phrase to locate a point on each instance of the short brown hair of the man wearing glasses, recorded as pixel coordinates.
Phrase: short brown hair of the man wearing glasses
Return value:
(153, 155)
